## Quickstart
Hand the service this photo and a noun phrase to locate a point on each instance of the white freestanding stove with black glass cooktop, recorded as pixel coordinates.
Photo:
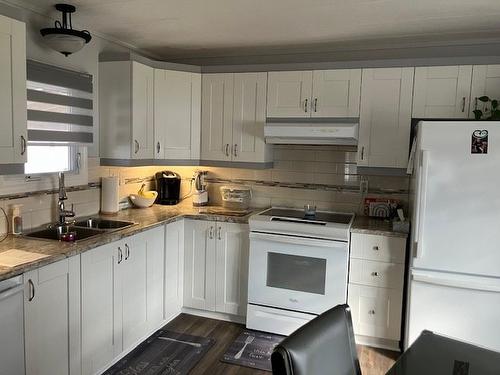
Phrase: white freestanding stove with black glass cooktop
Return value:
(298, 267)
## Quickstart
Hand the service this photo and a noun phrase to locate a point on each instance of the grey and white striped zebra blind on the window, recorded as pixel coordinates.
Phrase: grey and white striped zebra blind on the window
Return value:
(60, 105)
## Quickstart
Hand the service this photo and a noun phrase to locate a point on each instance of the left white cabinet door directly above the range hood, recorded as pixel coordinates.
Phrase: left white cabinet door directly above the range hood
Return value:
(289, 94)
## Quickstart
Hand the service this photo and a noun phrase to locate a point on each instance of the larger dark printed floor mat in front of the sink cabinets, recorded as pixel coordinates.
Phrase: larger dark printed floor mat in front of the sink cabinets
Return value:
(164, 352)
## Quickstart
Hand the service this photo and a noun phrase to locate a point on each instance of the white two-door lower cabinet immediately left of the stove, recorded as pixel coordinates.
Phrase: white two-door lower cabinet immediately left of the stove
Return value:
(216, 266)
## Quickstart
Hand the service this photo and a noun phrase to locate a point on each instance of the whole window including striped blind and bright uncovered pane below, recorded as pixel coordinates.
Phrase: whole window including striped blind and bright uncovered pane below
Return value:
(60, 118)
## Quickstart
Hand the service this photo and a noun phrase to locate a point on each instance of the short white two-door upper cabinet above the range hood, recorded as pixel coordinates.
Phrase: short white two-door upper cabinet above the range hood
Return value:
(318, 93)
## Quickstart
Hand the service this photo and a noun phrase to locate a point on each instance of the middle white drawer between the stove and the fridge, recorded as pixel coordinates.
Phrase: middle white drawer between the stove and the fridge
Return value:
(368, 272)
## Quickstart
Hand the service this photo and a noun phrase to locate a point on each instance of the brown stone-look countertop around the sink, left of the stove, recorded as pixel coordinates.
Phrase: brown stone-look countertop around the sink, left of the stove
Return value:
(145, 219)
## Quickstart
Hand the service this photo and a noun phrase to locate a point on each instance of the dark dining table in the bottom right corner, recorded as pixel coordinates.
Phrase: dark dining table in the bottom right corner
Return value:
(434, 354)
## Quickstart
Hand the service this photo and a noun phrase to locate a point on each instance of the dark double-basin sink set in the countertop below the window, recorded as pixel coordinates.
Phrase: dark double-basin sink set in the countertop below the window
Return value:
(80, 230)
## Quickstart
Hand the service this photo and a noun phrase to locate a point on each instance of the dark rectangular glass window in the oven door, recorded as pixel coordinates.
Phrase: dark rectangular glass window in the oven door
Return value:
(304, 274)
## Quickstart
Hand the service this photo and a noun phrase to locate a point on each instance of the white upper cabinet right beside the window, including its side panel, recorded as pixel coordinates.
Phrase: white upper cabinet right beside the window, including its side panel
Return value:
(126, 110)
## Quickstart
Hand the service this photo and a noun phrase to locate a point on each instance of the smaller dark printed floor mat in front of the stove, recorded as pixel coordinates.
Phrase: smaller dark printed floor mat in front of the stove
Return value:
(252, 349)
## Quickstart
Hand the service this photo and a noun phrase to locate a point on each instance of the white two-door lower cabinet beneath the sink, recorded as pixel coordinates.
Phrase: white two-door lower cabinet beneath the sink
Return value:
(122, 296)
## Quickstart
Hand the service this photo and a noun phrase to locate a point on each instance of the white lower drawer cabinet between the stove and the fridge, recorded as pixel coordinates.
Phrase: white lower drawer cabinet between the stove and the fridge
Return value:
(375, 291)
